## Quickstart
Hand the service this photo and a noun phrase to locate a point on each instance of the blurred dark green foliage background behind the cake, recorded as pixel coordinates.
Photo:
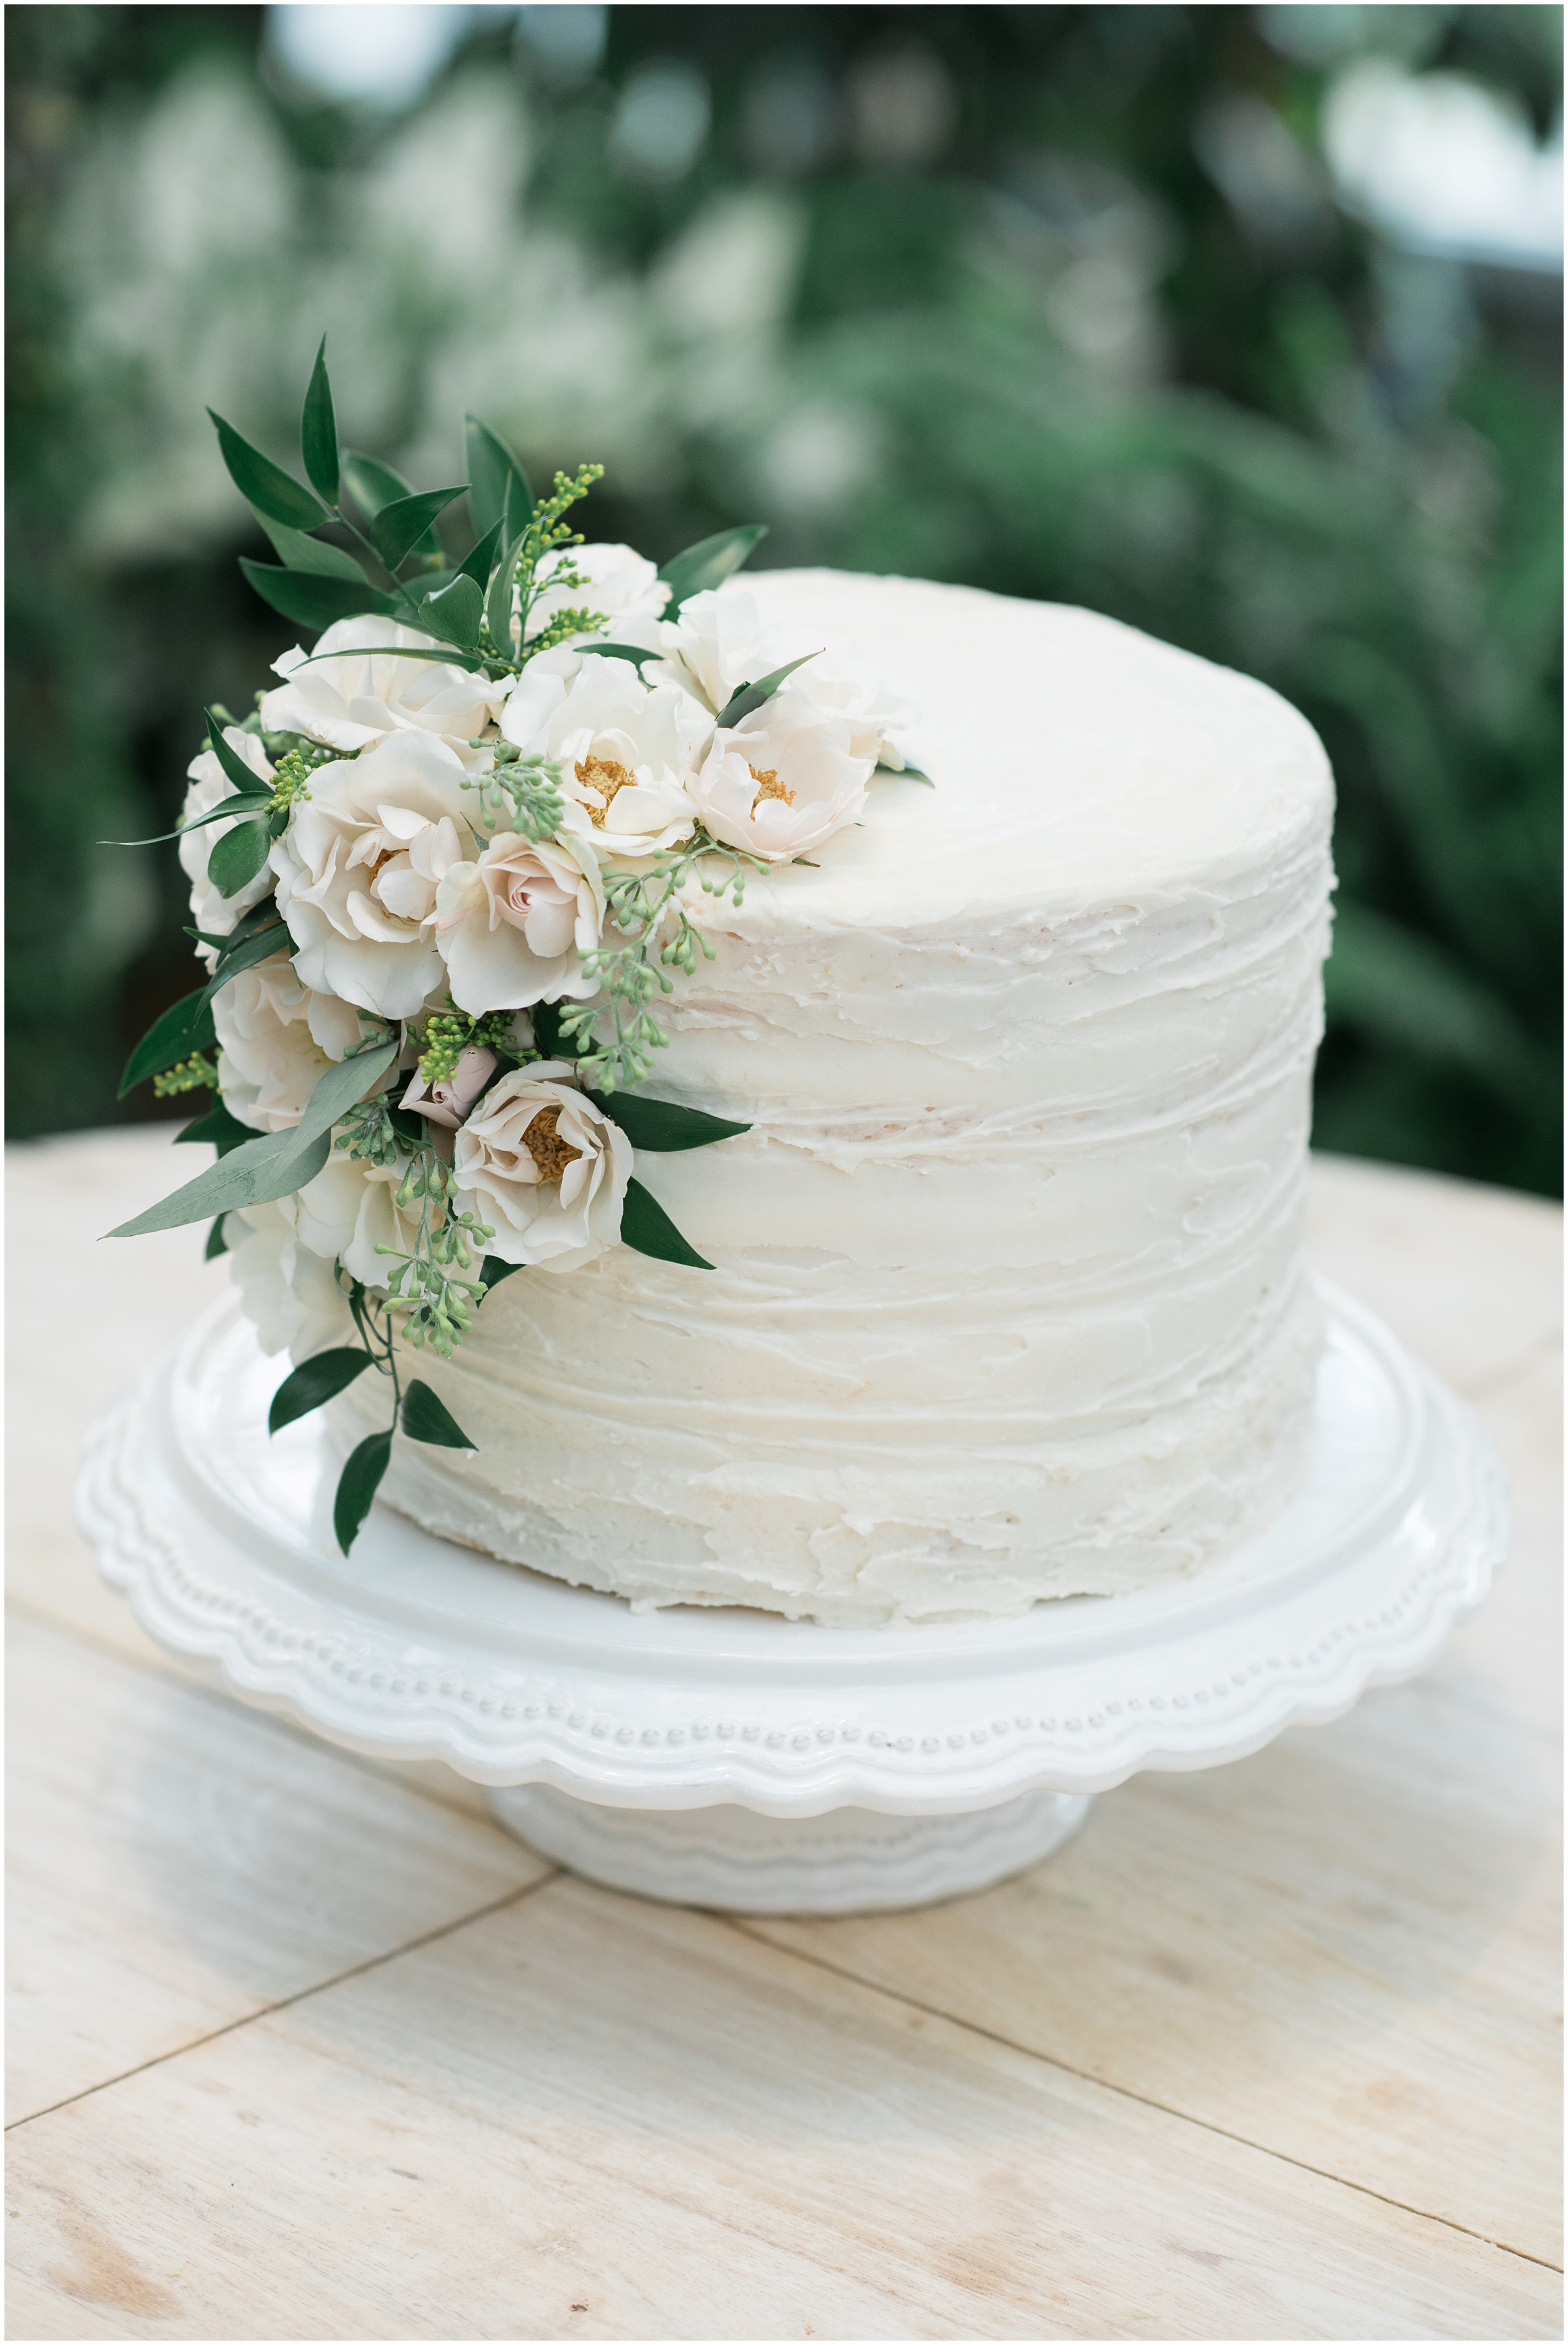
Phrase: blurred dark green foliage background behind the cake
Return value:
(1091, 304)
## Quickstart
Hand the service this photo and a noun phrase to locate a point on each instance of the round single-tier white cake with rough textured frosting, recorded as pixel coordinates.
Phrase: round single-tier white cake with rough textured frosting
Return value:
(1007, 1291)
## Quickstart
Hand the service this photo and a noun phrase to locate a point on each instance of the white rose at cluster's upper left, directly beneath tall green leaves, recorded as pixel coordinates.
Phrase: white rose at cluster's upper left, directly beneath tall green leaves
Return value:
(360, 698)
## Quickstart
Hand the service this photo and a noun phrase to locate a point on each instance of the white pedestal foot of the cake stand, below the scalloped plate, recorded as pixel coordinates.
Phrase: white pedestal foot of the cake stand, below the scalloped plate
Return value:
(850, 1861)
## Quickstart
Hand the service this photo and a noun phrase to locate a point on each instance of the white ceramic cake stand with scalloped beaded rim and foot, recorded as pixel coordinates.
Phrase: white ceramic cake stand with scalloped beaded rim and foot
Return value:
(746, 1762)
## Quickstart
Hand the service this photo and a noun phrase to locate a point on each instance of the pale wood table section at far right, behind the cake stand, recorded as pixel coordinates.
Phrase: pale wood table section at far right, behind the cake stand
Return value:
(1468, 1277)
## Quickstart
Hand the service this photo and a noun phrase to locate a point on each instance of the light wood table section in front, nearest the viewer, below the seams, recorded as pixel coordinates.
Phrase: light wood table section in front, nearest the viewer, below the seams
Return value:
(599, 2119)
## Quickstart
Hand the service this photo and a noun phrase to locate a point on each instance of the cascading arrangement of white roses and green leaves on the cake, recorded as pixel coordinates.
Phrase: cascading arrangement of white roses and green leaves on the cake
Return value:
(442, 876)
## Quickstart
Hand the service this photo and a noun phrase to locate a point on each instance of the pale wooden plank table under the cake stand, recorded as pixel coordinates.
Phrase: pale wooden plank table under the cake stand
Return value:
(306, 2048)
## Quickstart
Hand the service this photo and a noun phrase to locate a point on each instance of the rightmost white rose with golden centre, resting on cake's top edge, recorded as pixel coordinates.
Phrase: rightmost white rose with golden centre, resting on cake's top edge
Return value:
(784, 780)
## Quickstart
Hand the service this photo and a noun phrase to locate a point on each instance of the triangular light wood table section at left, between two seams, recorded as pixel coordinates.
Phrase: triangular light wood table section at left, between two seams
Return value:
(177, 1863)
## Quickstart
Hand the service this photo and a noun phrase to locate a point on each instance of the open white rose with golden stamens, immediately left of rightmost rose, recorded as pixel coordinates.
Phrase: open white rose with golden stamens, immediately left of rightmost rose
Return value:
(625, 749)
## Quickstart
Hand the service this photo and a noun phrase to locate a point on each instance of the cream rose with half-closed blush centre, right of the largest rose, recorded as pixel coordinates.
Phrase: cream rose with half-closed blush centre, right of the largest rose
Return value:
(514, 925)
